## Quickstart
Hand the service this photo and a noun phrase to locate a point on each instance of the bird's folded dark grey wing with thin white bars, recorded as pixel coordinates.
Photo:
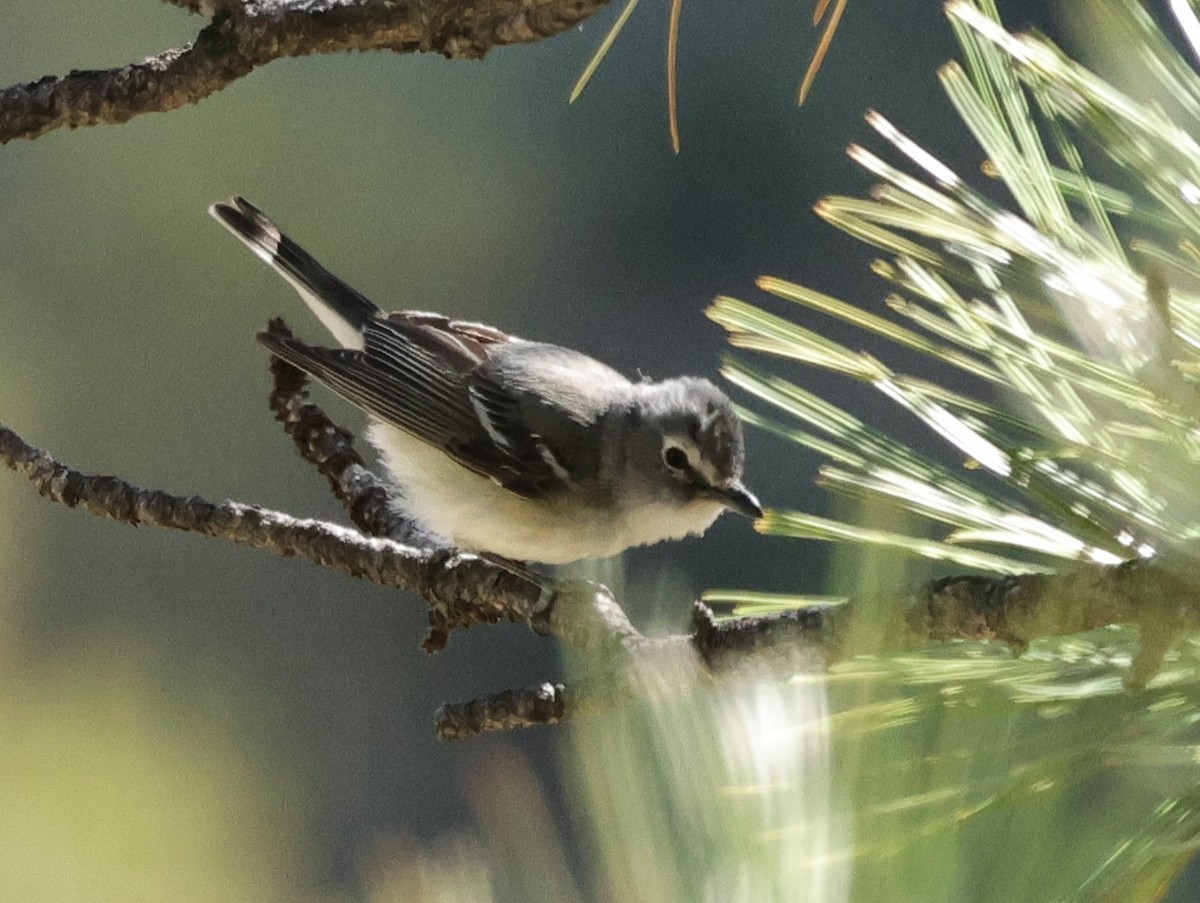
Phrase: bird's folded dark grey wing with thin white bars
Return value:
(435, 379)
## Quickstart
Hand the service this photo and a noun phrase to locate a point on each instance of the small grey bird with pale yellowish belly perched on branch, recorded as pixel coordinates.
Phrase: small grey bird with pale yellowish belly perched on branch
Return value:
(520, 450)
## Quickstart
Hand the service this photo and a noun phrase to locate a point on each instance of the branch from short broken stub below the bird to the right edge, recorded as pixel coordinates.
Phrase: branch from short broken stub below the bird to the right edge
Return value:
(1015, 611)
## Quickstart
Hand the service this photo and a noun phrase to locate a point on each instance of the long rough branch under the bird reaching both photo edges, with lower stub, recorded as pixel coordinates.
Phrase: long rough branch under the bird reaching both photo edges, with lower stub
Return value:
(470, 590)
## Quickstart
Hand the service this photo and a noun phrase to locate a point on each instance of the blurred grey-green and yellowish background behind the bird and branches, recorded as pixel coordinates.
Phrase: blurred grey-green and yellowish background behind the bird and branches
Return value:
(185, 720)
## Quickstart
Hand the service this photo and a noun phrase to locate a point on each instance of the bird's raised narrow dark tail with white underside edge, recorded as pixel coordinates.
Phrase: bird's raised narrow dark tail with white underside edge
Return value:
(341, 309)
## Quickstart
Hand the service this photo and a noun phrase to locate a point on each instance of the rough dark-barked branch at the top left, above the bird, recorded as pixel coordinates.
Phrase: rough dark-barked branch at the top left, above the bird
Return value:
(244, 37)
